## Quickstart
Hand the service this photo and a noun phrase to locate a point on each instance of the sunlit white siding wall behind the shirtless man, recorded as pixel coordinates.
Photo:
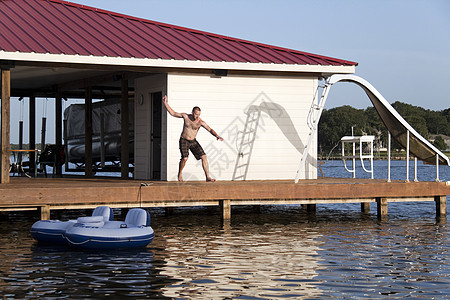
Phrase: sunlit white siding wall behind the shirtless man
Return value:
(284, 103)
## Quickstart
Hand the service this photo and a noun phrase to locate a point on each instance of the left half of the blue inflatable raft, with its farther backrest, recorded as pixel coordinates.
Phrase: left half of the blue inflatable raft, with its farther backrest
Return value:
(53, 231)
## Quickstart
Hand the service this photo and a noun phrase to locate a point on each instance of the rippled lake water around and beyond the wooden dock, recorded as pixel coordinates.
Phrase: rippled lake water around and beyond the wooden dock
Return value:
(275, 252)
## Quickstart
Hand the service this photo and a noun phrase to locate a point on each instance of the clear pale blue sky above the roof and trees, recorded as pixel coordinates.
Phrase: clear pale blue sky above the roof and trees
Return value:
(402, 46)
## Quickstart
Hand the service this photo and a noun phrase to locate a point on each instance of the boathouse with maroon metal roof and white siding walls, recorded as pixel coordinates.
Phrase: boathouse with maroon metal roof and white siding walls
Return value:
(256, 96)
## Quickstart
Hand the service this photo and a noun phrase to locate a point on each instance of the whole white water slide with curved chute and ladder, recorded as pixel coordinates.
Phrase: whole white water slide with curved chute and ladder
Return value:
(398, 128)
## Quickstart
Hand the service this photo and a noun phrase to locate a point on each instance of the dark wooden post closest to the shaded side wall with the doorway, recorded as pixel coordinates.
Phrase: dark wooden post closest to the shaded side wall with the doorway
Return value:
(124, 153)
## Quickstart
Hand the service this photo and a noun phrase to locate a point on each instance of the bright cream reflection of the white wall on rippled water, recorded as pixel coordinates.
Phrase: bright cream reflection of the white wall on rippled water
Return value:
(267, 260)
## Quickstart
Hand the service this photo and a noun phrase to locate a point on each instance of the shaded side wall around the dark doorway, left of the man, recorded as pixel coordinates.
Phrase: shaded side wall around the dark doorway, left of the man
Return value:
(144, 86)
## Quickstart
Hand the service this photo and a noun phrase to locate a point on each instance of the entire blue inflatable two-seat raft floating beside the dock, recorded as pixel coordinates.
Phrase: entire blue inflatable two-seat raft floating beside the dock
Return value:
(98, 231)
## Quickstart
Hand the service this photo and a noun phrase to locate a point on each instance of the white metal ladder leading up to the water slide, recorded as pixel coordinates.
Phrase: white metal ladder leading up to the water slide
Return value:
(313, 118)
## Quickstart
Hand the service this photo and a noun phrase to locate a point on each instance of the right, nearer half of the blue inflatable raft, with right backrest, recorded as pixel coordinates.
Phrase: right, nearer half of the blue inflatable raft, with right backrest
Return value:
(134, 232)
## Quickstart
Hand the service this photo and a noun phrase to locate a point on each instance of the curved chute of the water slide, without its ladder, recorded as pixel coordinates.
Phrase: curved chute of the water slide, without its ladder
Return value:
(397, 126)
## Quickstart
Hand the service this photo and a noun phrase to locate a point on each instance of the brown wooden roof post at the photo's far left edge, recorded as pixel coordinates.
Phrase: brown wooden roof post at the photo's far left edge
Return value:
(5, 125)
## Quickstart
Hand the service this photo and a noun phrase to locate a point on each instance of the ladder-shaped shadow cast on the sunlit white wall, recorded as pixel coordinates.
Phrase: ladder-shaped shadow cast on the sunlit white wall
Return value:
(247, 142)
